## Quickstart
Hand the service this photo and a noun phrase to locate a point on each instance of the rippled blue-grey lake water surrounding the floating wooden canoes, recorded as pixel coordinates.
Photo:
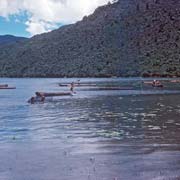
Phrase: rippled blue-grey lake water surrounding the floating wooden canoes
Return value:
(128, 134)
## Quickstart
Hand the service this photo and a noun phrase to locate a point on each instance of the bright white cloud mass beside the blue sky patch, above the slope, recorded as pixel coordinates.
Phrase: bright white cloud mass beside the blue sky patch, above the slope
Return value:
(45, 15)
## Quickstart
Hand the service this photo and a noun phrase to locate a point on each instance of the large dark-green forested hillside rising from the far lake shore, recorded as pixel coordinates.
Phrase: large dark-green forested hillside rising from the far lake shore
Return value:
(127, 38)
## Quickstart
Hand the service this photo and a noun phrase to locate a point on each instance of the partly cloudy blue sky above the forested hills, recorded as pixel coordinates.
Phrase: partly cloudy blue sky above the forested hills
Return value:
(30, 17)
